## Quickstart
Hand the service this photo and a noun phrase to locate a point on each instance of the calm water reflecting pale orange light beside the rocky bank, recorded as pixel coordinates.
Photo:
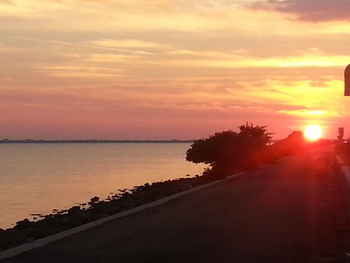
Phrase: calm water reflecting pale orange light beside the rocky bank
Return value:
(36, 178)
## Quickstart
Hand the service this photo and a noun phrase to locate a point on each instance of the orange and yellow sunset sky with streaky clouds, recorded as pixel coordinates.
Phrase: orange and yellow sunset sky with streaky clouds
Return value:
(166, 69)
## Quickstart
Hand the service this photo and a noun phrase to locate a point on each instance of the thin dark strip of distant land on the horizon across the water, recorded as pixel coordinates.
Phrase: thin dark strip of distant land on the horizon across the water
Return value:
(6, 141)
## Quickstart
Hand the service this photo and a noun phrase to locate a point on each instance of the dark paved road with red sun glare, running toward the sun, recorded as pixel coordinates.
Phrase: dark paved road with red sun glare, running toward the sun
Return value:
(293, 211)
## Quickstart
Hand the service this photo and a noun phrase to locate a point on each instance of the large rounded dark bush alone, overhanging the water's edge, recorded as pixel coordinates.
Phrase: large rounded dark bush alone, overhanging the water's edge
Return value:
(229, 151)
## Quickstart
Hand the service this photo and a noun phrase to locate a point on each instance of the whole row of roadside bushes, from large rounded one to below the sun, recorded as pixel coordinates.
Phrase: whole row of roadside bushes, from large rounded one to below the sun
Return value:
(229, 151)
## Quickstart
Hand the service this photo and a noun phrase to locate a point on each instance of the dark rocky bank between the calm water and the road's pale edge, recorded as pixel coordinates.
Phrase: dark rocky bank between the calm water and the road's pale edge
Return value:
(26, 231)
